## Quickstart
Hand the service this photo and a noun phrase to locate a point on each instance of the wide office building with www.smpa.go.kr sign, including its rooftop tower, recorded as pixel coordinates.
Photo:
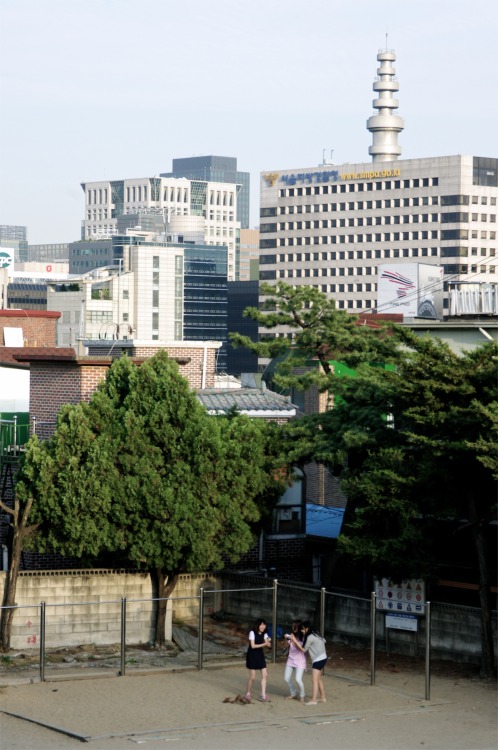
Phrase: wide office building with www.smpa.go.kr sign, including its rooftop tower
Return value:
(331, 226)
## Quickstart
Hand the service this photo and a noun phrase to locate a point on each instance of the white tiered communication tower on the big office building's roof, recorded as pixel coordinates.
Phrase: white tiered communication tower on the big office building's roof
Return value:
(385, 125)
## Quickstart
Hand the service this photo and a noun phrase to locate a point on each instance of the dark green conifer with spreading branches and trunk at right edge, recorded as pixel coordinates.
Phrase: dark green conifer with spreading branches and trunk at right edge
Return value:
(416, 450)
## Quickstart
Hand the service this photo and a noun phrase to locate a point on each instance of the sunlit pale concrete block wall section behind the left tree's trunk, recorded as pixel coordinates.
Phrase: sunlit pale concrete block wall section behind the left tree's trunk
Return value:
(84, 607)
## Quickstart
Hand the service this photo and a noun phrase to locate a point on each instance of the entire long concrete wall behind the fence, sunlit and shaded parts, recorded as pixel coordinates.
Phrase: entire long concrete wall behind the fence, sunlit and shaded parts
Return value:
(84, 607)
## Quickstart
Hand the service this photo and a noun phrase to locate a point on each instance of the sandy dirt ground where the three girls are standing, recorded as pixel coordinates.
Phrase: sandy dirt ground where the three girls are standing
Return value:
(164, 698)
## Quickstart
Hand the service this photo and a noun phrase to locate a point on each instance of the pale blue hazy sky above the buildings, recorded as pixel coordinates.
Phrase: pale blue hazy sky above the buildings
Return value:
(114, 89)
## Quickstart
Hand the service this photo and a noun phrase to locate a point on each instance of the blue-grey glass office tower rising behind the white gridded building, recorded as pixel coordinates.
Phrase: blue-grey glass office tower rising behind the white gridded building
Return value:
(217, 169)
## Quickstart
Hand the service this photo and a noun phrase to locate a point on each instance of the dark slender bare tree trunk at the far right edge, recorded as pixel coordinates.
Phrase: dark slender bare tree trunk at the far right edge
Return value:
(487, 643)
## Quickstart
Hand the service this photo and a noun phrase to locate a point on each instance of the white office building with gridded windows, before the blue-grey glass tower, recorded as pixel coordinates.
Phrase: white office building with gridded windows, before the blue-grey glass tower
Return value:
(173, 203)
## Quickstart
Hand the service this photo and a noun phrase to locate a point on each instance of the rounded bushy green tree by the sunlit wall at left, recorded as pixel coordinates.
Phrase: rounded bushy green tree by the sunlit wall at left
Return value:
(143, 472)
